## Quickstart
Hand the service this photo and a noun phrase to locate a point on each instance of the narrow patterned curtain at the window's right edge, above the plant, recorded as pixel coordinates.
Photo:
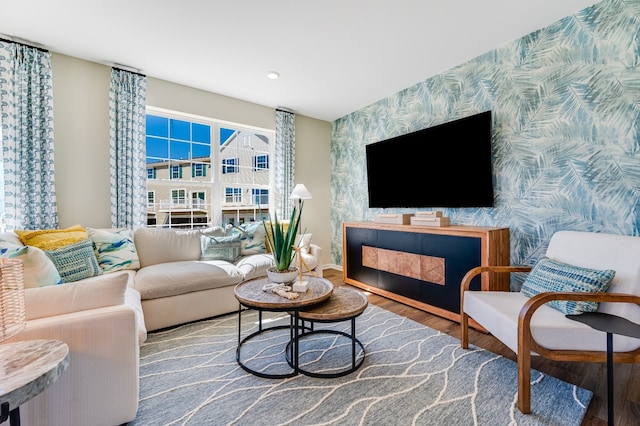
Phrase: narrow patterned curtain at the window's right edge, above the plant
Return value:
(285, 161)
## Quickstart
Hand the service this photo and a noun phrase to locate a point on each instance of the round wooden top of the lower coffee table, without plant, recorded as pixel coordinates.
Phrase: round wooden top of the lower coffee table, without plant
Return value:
(344, 303)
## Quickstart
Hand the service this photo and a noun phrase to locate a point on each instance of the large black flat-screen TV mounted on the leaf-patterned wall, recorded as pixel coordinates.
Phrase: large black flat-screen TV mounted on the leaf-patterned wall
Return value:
(448, 165)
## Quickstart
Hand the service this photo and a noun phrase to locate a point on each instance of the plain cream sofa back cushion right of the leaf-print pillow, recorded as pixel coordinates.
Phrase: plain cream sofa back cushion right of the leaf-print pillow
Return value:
(159, 245)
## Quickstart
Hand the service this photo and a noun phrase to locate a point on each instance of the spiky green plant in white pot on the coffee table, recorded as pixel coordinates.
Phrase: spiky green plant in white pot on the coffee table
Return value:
(281, 238)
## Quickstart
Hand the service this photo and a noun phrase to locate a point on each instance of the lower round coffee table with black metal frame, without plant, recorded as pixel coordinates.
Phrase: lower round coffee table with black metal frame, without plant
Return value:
(344, 304)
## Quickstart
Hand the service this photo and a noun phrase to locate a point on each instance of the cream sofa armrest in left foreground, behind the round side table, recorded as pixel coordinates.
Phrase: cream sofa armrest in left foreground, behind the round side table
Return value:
(101, 381)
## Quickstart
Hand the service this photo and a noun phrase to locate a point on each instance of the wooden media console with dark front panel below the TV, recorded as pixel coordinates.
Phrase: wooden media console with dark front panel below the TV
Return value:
(422, 266)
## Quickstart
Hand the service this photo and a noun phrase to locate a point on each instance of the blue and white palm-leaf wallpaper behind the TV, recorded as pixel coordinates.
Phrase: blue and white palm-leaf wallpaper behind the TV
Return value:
(566, 131)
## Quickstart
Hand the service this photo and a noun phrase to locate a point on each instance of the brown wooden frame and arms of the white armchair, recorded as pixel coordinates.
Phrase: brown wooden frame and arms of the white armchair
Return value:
(526, 342)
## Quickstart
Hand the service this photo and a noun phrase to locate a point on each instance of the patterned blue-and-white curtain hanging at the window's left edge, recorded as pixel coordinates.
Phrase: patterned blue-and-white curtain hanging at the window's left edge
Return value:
(127, 106)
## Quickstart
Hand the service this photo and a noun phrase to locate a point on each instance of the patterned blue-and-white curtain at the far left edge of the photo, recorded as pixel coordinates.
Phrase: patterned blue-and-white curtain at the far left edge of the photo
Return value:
(26, 99)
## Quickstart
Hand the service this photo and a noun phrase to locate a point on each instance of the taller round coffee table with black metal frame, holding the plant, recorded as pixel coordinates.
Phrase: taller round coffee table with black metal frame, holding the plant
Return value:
(251, 295)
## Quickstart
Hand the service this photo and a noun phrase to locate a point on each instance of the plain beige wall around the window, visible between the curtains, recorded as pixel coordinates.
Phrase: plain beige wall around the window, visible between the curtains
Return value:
(81, 135)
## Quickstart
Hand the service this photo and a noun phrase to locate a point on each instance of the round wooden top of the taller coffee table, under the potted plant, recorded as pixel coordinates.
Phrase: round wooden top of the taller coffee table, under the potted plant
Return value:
(250, 294)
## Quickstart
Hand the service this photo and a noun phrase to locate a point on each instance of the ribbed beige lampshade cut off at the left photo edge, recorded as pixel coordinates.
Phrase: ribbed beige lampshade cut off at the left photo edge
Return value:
(12, 313)
